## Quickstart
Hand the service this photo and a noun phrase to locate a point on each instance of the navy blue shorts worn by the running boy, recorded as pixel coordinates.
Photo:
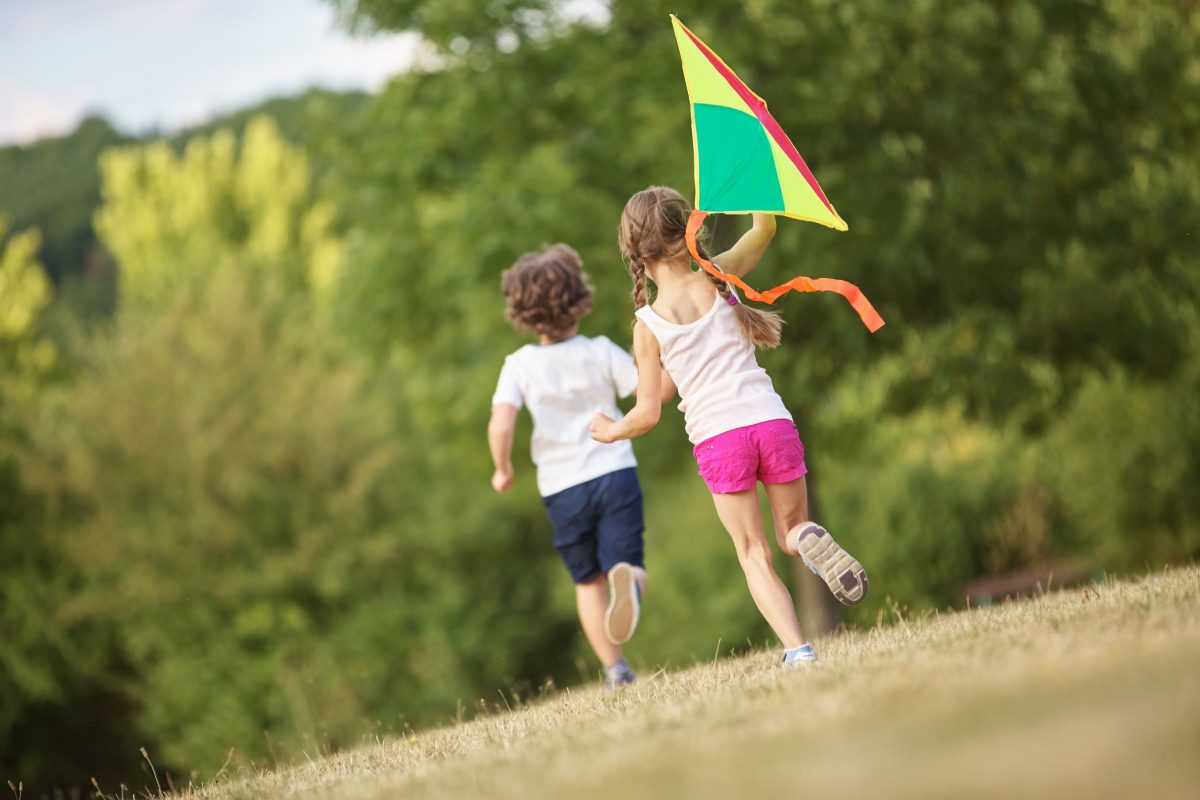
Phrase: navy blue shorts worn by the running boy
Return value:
(598, 525)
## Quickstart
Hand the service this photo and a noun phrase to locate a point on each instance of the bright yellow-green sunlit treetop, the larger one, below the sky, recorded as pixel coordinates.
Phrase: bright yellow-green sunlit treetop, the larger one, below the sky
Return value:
(175, 221)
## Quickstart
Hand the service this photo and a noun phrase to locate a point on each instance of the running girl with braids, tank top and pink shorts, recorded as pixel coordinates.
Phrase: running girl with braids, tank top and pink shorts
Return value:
(699, 338)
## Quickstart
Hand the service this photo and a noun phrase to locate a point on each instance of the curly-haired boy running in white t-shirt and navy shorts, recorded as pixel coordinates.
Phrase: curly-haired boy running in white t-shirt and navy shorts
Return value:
(590, 490)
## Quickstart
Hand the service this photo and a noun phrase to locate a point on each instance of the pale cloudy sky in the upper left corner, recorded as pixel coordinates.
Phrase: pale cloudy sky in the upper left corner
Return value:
(170, 64)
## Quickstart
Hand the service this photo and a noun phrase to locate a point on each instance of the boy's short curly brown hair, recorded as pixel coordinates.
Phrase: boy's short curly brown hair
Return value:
(548, 292)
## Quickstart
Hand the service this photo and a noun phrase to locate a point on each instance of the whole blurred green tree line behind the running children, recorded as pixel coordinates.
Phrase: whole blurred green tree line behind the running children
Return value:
(244, 496)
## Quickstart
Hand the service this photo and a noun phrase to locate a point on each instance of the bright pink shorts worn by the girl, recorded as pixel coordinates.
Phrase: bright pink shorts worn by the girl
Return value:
(737, 460)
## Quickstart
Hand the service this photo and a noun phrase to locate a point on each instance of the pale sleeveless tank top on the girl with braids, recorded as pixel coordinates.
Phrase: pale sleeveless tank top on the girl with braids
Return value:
(722, 386)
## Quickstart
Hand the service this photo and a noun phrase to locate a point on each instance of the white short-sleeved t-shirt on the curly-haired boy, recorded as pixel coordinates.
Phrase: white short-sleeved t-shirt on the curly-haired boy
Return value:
(565, 386)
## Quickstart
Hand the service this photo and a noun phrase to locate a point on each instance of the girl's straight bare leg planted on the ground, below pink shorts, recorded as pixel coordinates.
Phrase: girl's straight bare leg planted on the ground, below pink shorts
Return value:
(740, 515)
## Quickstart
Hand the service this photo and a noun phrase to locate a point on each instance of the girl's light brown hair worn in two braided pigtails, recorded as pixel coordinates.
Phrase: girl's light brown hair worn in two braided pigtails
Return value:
(652, 230)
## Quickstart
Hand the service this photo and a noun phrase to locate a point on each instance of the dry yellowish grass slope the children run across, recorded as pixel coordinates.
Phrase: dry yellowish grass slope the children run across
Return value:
(1088, 693)
